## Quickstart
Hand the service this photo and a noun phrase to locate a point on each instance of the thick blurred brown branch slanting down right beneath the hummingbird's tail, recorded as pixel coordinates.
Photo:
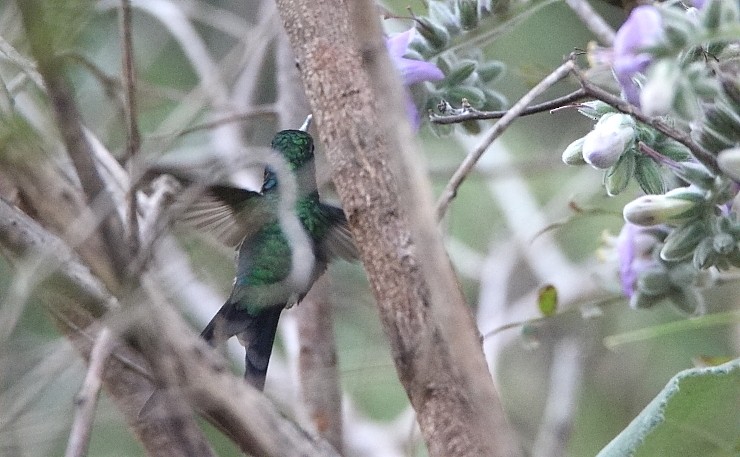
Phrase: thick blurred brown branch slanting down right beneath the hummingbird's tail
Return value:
(185, 363)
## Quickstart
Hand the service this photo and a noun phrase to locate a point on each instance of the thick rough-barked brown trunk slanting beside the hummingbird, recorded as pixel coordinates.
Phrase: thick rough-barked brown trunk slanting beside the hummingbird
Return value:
(434, 342)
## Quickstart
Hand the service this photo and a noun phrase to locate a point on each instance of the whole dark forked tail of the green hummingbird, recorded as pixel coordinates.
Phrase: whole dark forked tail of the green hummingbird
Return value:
(255, 331)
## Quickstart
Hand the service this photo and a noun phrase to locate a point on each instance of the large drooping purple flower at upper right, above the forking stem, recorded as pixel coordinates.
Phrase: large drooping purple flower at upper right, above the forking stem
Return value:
(642, 29)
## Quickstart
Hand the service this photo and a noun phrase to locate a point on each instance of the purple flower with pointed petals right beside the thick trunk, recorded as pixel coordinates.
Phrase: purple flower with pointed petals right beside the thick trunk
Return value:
(412, 71)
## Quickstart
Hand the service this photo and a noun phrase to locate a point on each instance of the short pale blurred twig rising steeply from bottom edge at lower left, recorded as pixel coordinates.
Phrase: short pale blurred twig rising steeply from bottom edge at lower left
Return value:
(87, 398)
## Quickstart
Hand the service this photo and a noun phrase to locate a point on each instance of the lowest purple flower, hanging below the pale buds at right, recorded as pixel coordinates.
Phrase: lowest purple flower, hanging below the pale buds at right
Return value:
(634, 248)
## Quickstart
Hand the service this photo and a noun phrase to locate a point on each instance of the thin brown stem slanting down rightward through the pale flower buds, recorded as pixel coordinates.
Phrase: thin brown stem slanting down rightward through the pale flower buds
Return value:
(702, 155)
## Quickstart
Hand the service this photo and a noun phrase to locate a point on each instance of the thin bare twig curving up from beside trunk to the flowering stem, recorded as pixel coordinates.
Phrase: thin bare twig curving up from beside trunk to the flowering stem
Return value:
(450, 191)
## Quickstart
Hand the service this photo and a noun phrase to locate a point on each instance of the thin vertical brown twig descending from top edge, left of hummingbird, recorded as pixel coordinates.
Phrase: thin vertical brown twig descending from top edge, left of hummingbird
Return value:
(133, 138)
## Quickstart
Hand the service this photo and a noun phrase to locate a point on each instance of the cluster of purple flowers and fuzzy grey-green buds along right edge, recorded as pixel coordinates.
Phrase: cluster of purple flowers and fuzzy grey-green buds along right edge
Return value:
(679, 65)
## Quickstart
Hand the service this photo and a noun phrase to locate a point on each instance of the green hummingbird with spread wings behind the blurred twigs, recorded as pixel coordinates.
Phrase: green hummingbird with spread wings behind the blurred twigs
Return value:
(282, 250)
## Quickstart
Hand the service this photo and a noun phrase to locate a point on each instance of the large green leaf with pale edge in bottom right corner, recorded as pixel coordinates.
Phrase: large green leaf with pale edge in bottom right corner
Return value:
(696, 414)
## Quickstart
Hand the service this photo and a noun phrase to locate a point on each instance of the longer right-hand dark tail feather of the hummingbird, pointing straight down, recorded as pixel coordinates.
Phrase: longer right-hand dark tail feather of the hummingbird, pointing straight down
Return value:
(259, 346)
